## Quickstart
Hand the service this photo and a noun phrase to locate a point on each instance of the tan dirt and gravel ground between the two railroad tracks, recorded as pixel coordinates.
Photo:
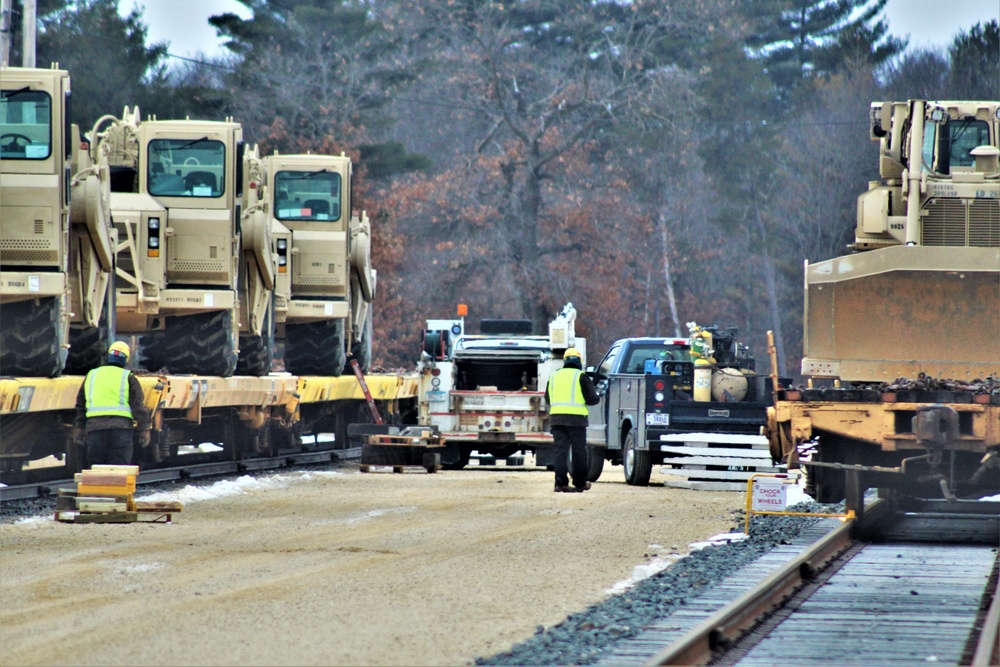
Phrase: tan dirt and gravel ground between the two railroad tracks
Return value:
(343, 568)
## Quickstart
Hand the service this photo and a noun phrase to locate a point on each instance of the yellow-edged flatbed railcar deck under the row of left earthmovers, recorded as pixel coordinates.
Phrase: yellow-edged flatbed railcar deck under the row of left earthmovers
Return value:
(242, 417)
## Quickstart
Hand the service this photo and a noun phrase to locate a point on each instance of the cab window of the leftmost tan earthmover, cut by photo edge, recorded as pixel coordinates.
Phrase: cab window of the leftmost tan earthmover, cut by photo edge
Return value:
(25, 124)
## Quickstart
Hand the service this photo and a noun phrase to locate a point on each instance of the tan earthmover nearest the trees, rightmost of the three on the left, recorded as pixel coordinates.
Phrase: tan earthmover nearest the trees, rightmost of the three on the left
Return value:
(325, 283)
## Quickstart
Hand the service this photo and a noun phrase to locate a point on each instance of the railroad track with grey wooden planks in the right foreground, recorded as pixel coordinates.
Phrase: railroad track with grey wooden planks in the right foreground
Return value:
(907, 584)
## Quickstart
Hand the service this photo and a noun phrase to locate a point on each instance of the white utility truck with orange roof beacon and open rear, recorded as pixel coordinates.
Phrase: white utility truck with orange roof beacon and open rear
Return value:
(485, 392)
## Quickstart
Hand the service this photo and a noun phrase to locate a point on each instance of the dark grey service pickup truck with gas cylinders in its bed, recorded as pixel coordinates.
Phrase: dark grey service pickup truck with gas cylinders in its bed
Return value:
(647, 390)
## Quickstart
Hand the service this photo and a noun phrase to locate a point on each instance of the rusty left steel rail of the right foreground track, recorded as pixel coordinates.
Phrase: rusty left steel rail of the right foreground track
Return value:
(726, 626)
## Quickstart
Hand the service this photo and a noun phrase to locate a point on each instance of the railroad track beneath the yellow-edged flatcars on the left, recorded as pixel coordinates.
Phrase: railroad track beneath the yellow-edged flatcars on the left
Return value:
(48, 485)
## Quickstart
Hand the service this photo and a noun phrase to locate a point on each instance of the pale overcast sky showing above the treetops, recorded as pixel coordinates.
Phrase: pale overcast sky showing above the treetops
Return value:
(184, 23)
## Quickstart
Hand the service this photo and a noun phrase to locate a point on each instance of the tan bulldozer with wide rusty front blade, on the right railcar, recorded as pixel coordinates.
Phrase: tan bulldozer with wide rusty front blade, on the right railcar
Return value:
(929, 228)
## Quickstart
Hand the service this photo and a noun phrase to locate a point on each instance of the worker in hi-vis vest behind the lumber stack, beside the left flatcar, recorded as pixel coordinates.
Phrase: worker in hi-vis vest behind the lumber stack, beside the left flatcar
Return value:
(110, 408)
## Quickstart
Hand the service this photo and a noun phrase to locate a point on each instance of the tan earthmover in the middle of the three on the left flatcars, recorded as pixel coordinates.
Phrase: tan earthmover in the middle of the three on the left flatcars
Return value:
(189, 263)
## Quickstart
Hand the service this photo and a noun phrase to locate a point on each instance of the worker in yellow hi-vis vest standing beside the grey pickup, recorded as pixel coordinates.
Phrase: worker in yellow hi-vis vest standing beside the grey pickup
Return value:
(568, 394)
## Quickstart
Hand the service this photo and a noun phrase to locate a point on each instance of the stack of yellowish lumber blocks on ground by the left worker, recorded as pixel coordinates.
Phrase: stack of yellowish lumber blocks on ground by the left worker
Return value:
(106, 494)
